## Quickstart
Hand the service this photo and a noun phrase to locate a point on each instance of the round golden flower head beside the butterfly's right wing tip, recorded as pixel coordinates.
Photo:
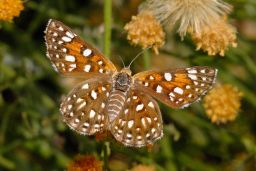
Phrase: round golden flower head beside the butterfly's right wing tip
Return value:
(222, 103)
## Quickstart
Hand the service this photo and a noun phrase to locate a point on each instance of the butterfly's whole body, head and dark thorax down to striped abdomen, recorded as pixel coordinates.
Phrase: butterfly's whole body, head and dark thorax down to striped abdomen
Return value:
(118, 95)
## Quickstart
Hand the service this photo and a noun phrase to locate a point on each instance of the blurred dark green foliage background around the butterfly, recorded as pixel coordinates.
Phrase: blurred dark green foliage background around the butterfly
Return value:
(33, 136)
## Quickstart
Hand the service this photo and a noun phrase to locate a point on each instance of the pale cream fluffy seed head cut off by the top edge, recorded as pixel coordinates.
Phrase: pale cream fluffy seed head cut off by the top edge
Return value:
(190, 14)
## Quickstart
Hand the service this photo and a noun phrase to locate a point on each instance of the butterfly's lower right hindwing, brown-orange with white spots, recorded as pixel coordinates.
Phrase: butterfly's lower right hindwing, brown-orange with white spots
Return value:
(140, 122)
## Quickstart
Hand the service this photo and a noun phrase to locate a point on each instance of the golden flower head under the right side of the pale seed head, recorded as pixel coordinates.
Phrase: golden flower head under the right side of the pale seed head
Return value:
(215, 39)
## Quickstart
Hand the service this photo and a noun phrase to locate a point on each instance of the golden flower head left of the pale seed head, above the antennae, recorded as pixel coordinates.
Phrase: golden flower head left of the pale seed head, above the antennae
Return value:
(144, 30)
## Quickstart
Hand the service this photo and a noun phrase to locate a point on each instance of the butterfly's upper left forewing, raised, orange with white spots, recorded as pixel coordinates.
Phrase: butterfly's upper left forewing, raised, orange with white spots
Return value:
(71, 55)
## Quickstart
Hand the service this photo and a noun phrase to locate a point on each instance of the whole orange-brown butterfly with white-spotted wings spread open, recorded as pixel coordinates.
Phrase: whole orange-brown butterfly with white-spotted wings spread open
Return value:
(118, 101)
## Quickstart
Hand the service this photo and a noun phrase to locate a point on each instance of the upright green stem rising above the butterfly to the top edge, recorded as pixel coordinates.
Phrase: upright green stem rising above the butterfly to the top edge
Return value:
(107, 25)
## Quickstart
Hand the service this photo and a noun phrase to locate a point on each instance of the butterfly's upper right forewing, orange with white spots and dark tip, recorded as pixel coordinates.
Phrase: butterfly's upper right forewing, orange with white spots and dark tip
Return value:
(179, 87)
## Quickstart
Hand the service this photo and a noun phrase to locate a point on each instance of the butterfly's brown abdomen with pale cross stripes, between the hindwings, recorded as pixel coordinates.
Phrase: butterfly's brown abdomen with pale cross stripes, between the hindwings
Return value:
(115, 104)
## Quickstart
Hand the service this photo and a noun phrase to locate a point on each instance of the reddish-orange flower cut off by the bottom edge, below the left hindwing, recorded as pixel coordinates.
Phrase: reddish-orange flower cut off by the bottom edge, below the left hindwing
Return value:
(85, 162)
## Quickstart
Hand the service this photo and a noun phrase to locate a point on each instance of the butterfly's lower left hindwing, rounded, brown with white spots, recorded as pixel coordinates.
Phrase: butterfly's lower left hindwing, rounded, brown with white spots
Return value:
(83, 108)
